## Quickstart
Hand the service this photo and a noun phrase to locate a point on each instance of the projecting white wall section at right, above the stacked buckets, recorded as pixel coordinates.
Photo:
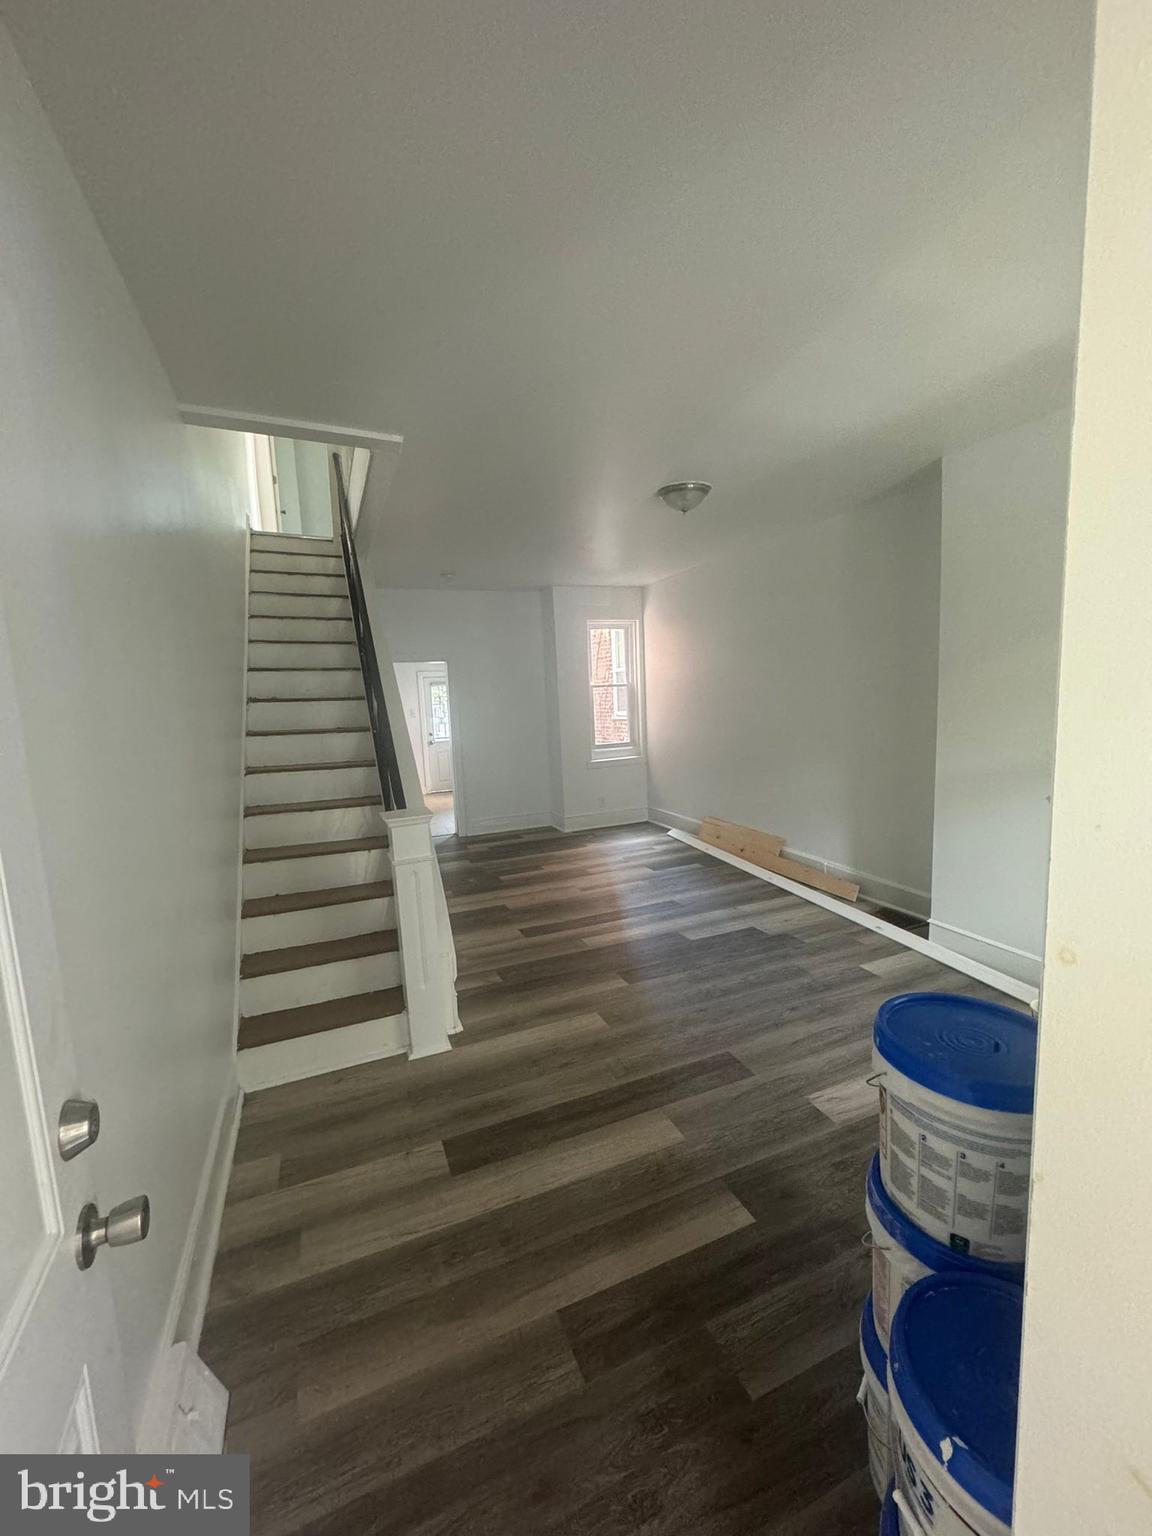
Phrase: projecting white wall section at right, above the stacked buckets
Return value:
(1002, 554)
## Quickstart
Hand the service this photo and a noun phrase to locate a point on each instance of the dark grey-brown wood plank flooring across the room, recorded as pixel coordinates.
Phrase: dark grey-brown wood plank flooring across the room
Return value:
(600, 1270)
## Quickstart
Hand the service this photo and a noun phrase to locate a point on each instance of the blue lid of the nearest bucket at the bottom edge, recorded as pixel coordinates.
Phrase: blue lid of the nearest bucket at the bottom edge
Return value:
(956, 1368)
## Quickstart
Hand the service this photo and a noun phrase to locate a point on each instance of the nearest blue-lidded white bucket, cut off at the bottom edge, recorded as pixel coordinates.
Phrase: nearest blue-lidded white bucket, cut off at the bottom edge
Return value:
(953, 1385)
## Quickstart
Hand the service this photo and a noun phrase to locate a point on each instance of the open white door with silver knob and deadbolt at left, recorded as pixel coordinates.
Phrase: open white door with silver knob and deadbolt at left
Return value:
(61, 1368)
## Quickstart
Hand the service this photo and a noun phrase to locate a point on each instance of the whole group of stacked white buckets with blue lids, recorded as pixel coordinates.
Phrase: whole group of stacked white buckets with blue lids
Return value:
(947, 1200)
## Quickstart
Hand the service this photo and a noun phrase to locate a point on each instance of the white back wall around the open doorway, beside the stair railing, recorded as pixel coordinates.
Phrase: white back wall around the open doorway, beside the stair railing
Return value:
(494, 647)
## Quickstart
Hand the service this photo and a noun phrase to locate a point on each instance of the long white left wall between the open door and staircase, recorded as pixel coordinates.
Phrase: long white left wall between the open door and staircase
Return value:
(124, 595)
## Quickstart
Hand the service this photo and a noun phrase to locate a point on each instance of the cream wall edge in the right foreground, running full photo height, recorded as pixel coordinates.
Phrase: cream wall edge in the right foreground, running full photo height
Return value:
(1085, 1448)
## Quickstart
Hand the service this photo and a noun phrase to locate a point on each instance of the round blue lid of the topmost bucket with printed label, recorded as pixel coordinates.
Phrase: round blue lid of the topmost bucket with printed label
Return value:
(964, 1048)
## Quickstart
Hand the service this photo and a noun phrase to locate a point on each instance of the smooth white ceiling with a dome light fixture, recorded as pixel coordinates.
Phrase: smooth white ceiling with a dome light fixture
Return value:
(575, 248)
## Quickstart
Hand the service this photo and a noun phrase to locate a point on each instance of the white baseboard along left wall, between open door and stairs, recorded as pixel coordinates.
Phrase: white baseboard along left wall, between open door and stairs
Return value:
(188, 1303)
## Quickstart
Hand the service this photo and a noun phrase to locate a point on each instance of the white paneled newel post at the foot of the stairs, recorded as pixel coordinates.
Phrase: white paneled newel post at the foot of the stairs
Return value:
(426, 948)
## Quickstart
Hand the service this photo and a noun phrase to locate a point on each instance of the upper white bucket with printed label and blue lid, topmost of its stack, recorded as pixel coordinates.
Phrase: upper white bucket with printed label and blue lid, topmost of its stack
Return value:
(958, 1081)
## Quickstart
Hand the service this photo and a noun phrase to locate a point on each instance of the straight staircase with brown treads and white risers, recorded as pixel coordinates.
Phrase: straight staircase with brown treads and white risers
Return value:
(320, 978)
